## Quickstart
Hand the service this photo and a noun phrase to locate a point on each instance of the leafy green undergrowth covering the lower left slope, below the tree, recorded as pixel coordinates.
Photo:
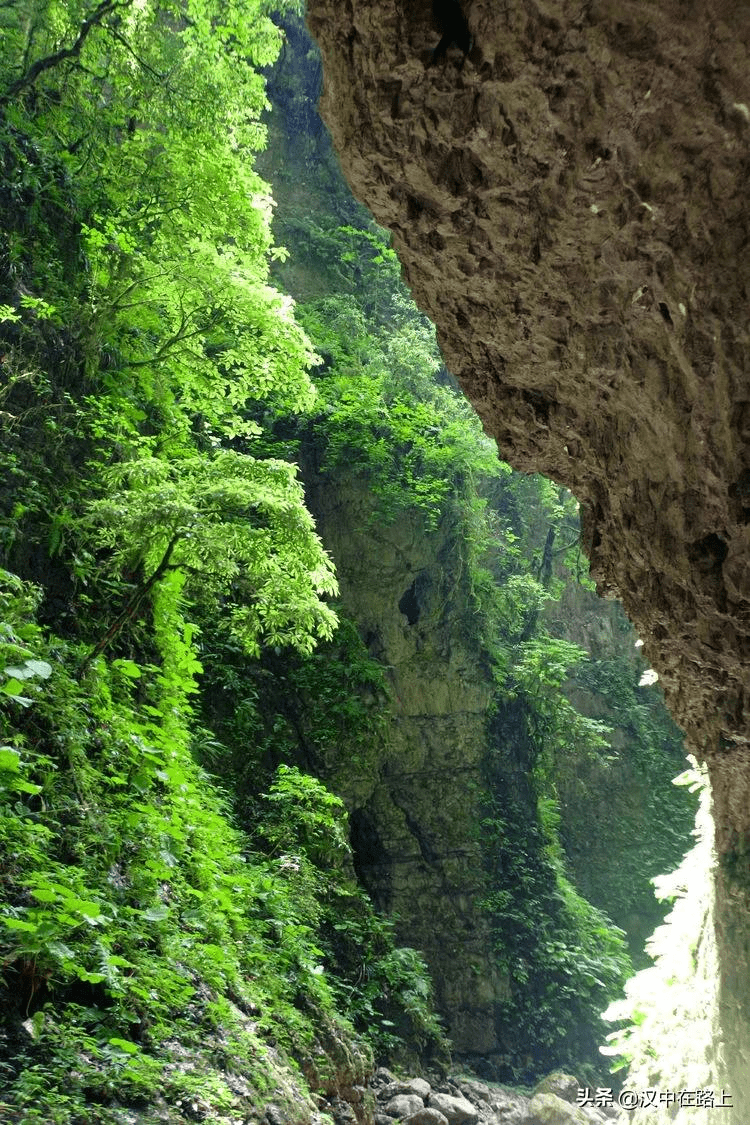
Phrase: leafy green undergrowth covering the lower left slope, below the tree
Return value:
(135, 917)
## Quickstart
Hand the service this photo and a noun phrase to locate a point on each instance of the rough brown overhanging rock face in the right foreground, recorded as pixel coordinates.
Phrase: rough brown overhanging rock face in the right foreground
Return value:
(571, 208)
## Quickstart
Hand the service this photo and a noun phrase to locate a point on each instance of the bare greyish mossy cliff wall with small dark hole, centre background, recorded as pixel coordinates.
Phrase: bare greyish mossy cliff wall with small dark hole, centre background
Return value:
(415, 812)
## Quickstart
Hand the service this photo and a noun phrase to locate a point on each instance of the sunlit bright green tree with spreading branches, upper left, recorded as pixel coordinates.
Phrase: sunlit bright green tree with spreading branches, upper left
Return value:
(153, 113)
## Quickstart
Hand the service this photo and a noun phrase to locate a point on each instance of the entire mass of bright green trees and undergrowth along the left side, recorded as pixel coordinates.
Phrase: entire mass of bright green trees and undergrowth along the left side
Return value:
(140, 330)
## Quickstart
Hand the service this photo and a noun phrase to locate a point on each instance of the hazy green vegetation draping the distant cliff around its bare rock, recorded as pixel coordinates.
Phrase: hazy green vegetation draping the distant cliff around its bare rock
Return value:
(388, 415)
